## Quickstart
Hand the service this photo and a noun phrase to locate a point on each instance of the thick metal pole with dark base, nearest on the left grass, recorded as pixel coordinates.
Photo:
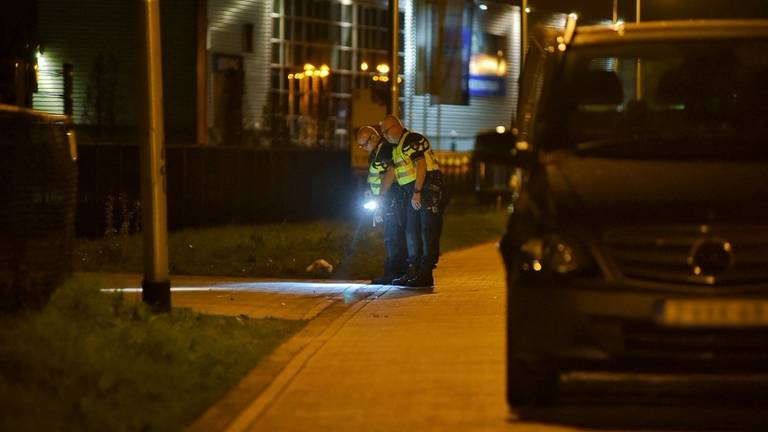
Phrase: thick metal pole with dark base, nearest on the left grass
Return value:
(156, 285)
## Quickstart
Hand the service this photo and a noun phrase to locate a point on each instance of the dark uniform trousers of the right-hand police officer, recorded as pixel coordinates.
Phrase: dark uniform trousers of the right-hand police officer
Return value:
(423, 227)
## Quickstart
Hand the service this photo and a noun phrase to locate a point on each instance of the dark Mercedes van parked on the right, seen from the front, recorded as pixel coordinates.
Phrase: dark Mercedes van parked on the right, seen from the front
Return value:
(639, 241)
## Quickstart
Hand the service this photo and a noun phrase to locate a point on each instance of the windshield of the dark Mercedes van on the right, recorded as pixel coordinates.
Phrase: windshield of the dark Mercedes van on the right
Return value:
(670, 100)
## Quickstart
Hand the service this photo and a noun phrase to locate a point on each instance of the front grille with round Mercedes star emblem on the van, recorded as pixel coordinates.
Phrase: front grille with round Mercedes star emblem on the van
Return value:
(693, 255)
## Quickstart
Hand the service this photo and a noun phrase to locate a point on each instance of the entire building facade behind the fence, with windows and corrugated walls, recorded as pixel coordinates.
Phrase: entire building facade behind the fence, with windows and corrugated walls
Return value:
(271, 72)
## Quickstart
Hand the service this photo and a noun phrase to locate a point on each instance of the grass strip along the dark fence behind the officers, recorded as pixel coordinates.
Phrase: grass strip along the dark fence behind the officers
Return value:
(355, 249)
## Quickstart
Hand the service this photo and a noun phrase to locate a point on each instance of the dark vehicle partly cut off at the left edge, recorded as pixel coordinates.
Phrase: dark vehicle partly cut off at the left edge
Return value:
(38, 193)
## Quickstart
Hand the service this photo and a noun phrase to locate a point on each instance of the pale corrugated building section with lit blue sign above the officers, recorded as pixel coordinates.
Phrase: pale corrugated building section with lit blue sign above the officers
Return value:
(493, 34)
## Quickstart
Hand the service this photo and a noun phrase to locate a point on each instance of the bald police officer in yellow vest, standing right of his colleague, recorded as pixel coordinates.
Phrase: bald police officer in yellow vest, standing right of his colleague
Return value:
(418, 173)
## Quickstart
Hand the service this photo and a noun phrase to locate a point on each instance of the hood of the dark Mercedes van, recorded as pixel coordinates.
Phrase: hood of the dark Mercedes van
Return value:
(613, 192)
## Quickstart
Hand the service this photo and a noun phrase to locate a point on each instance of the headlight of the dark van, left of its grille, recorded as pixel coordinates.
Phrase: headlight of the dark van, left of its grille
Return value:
(555, 255)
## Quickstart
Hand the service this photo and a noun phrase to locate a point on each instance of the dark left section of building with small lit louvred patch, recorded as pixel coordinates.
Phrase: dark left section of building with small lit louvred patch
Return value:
(98, 39)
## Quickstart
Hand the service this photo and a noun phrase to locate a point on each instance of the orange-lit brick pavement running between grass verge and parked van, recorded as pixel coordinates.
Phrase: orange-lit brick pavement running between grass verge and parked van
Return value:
(401, 361)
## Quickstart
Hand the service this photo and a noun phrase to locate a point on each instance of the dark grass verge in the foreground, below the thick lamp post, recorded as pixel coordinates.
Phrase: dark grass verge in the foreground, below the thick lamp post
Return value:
(92, 361)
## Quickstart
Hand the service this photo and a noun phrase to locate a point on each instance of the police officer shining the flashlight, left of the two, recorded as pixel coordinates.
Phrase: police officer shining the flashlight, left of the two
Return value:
(388, 199)
